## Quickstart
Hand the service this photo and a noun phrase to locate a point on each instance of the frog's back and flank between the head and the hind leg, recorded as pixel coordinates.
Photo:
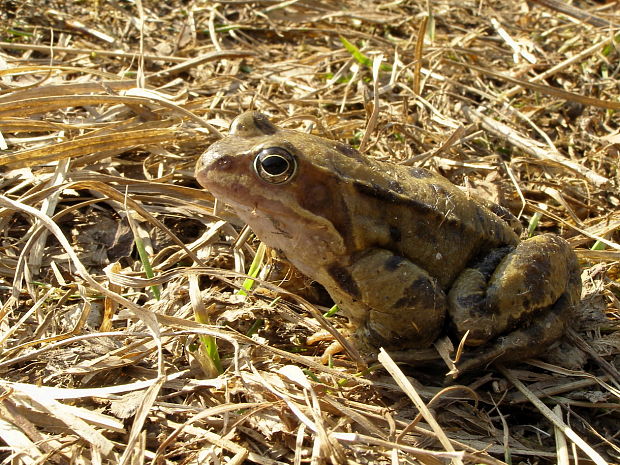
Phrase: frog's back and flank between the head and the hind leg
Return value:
(421, 216)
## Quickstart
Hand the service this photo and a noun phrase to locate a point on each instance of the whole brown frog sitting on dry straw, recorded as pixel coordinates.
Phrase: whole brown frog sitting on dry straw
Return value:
(405, 254)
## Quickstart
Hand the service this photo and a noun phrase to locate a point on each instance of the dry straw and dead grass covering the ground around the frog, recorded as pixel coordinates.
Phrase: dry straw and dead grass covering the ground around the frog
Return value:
(104, 109)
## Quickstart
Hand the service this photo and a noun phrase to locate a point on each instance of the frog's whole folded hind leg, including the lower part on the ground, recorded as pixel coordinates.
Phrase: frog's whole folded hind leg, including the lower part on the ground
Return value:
(527, 295)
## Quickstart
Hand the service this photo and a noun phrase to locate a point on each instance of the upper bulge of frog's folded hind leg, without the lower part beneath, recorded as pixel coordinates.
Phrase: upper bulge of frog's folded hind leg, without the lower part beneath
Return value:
(531, 277)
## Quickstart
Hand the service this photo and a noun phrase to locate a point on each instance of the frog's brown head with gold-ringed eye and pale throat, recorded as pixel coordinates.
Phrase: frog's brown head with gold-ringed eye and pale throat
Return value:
(285, 184)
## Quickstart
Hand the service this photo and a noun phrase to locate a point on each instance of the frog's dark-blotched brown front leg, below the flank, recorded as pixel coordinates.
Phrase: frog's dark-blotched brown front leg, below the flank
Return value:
(405, 304)
